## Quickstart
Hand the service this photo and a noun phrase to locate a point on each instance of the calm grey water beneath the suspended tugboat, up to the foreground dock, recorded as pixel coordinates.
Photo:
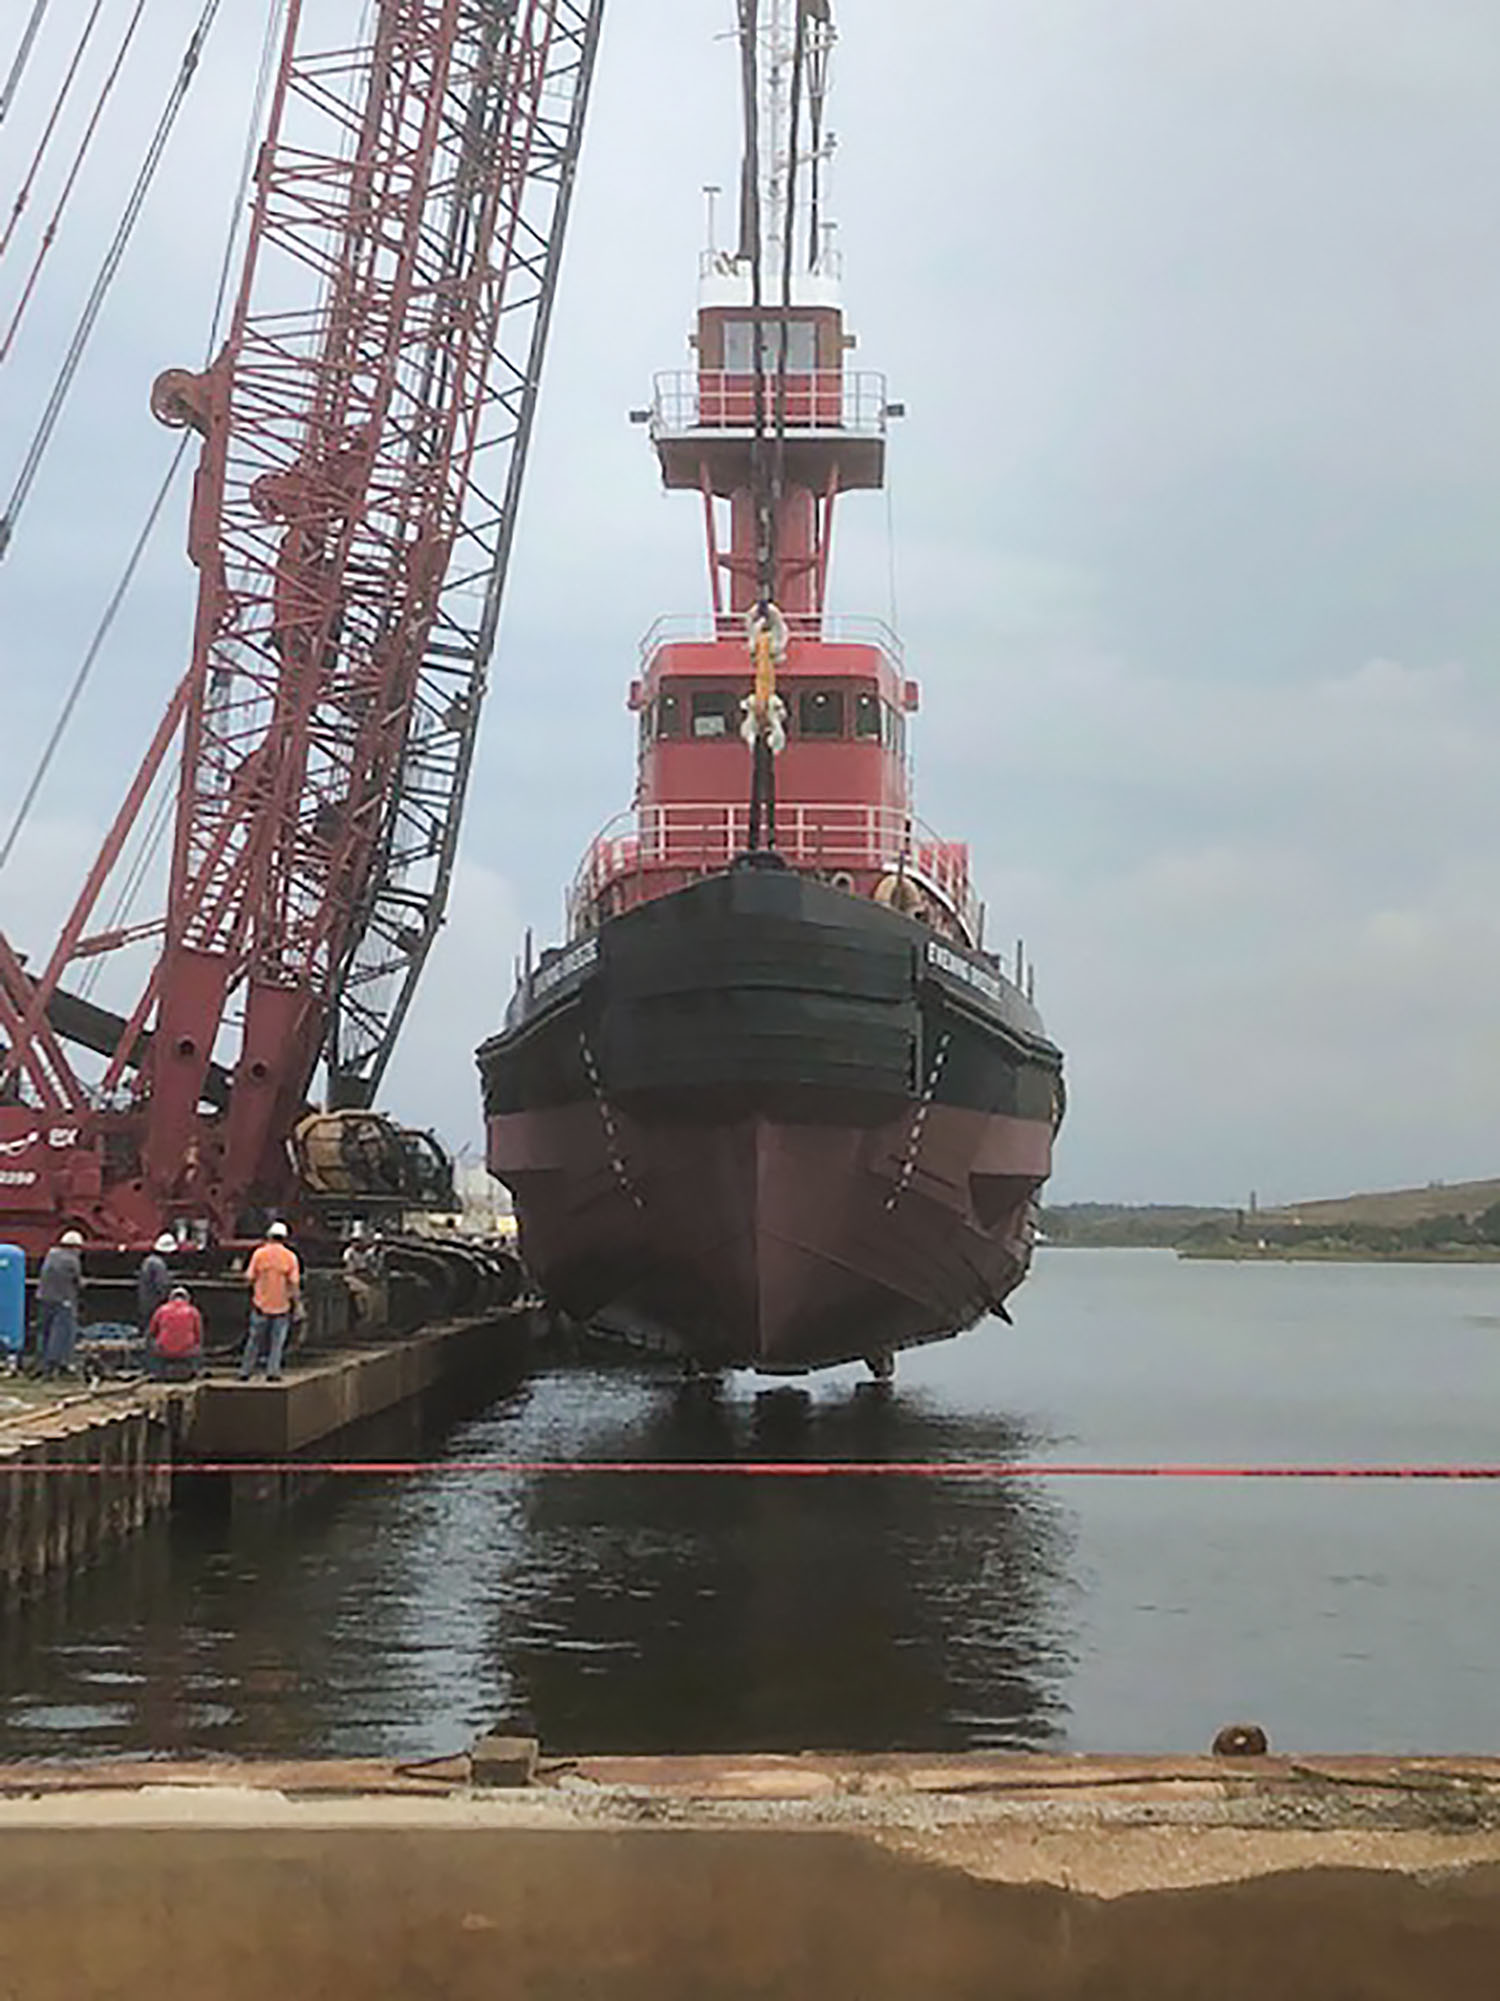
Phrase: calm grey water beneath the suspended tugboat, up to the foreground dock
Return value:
(639, 1614)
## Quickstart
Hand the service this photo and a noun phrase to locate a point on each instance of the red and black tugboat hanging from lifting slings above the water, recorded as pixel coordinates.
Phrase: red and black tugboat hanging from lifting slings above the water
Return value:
(773, 1104)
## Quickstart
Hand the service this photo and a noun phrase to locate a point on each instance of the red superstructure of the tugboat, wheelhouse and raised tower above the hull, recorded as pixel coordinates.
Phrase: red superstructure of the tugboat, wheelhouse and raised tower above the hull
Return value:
(843, 781)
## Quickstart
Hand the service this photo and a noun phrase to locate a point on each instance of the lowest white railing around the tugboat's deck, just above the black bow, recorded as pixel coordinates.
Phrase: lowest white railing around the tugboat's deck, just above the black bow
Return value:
(827, 837)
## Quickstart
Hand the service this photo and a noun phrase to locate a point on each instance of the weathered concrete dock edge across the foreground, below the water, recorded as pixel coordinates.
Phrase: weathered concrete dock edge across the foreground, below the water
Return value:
(875, 1878)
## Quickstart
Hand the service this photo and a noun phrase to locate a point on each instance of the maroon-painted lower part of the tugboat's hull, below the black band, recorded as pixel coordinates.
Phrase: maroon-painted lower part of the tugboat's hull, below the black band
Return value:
(769, 1244)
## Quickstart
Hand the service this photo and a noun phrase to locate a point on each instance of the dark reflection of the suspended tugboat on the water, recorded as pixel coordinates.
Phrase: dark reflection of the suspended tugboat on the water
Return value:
(757, 1612)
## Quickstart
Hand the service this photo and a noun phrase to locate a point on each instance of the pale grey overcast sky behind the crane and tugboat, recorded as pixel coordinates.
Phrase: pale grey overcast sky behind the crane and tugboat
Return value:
(1197, 533)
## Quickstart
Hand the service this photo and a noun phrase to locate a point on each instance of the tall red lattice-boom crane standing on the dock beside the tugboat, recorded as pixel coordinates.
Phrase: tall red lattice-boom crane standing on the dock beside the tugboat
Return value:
(365, 435)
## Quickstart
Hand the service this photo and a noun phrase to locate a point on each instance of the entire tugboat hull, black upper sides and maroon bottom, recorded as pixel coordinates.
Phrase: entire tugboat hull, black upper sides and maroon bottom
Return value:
(775, 1126)
